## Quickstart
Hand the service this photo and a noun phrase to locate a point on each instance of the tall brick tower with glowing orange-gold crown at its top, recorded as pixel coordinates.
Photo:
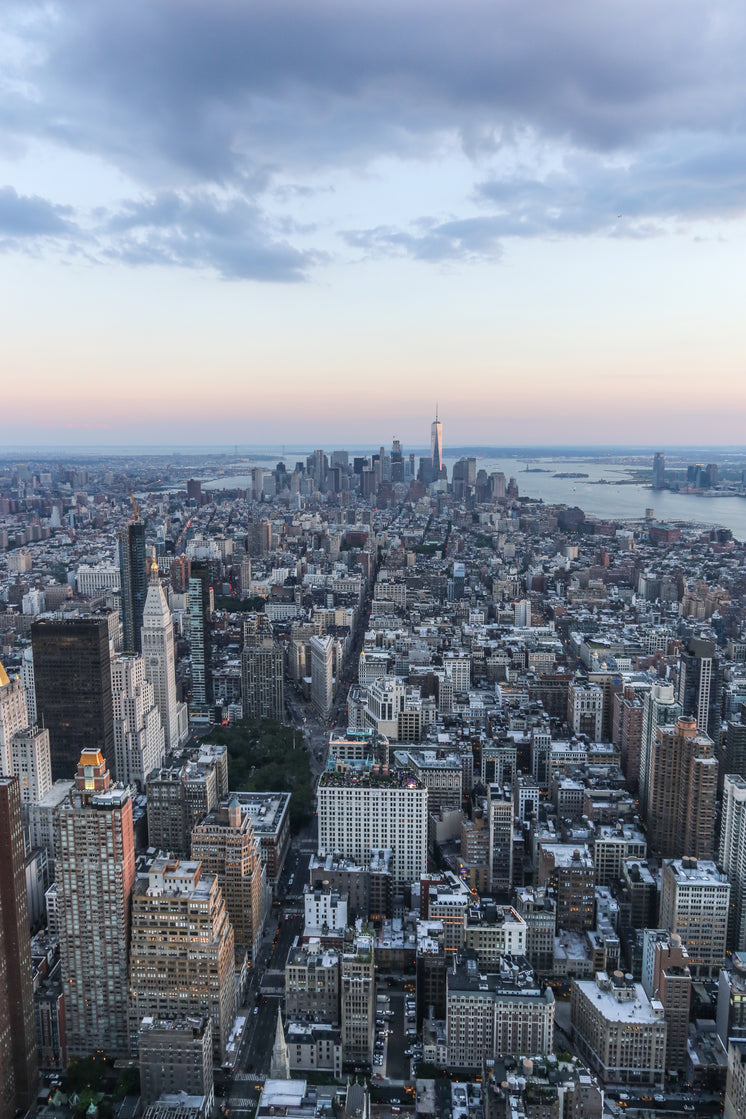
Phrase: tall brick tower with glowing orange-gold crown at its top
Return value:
(96, 877)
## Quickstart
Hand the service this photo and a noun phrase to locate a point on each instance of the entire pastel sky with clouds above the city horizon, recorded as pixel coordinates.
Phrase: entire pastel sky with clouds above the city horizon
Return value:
(309, 221)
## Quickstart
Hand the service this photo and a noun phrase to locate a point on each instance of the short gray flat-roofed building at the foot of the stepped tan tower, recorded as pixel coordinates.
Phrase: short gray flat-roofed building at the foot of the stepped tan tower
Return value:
(176, 1056)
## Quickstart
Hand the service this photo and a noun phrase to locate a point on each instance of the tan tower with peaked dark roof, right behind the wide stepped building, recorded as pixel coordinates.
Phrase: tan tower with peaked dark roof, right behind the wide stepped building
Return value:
(228, 848)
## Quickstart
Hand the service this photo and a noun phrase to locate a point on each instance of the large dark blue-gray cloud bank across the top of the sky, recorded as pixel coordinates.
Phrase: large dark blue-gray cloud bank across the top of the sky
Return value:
(228, 90)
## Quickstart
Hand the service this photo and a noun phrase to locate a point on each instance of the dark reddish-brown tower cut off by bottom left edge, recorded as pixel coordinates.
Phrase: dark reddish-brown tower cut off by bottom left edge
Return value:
(18, 1050)
